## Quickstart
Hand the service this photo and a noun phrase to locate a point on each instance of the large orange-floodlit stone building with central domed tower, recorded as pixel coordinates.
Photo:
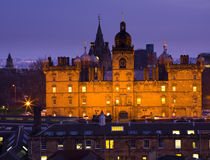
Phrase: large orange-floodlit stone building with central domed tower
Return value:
(85, 88)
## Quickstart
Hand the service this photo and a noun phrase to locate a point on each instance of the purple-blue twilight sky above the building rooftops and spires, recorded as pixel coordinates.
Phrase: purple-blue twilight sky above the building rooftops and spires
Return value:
(41, 28)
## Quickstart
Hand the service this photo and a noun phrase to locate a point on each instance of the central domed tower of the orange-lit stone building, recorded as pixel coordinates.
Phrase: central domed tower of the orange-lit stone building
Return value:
(123, 74)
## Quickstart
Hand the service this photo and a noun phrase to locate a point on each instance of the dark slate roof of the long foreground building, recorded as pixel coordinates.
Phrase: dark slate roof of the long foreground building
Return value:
(147, 129)
